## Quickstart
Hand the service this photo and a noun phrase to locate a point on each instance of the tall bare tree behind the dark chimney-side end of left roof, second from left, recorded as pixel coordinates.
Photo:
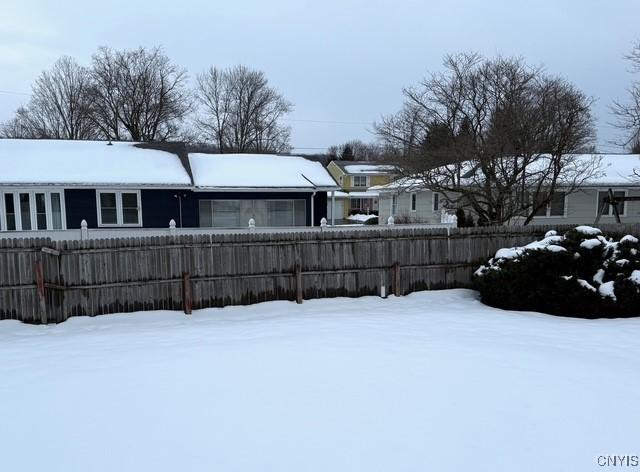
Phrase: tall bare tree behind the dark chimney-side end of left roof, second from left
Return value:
(138, 94)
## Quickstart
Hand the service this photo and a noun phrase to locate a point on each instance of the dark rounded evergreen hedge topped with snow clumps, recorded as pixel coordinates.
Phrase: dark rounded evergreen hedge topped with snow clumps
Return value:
(582, 273)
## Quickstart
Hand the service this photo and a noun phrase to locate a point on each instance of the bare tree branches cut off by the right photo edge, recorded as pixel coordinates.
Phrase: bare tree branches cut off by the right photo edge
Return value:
(628, 113)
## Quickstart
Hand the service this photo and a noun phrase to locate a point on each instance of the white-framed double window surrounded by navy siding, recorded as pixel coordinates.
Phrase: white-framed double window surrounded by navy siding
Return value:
(119, 208)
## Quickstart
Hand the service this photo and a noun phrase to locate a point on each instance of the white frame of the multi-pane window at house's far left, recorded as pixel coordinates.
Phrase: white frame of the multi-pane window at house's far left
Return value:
(32, 209)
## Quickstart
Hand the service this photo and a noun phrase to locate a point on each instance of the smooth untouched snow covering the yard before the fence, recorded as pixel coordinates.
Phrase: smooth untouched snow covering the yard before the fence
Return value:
(431, 381)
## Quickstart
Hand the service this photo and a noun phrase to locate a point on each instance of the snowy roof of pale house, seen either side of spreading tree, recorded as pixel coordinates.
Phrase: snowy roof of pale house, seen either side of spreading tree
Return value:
(613, 170)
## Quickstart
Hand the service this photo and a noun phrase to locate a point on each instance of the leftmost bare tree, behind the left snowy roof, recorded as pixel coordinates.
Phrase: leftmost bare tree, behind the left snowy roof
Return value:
(59, 107)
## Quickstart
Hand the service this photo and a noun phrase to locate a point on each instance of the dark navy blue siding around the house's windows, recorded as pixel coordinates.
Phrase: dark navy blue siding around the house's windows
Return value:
(160, 206)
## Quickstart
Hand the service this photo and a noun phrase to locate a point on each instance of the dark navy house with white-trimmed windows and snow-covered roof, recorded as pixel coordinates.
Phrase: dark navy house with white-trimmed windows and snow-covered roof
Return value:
(55, 184)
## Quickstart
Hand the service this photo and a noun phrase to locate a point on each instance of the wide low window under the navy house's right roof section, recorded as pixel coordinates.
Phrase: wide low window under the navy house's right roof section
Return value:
(266, 213)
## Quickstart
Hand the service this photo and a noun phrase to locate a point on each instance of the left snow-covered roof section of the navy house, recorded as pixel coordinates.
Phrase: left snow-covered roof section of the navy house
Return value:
(87, 163)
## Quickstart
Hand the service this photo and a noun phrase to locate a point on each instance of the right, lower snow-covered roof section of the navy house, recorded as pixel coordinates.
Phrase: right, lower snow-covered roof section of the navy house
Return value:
(258, 171)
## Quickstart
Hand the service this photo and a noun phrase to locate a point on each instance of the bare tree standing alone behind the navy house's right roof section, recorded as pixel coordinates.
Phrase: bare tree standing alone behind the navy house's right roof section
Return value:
(239, 111)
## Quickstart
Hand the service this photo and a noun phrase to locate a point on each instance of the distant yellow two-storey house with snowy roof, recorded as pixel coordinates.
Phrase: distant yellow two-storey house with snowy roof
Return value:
(355, 179)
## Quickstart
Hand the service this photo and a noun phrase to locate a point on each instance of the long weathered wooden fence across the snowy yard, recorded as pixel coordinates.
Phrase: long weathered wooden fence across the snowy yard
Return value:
(44, 281)
